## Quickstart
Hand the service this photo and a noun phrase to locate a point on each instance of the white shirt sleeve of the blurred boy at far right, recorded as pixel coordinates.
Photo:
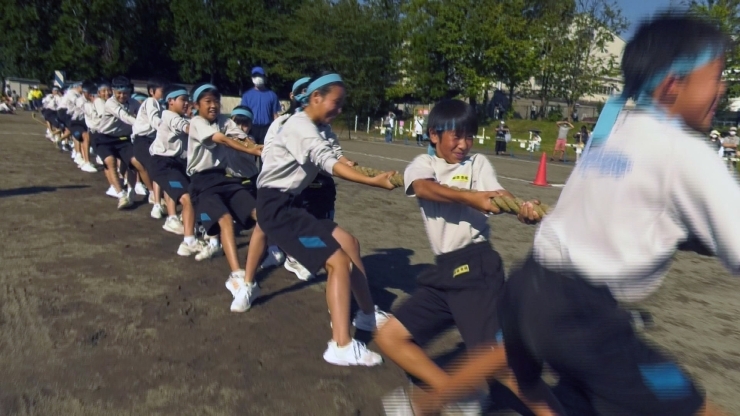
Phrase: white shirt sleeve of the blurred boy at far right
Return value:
(705, 197)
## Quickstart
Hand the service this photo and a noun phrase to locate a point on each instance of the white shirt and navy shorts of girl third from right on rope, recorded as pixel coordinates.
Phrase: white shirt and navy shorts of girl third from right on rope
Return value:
(291, 163)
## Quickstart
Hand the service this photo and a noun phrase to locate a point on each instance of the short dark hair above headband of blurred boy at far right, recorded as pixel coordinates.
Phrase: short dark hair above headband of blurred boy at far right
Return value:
(660, 41)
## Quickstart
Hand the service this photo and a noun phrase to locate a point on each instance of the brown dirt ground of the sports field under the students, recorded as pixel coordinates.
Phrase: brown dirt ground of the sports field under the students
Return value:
(99, 316)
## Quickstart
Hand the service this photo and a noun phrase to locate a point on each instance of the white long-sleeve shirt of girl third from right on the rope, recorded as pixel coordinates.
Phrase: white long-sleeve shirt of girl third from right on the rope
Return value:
(296, 154)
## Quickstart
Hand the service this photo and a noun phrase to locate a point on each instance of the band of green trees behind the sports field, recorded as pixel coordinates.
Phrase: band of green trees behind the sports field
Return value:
(386, 50)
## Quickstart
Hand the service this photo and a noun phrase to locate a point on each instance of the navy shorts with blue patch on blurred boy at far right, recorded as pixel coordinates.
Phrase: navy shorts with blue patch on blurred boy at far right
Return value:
(580, 331)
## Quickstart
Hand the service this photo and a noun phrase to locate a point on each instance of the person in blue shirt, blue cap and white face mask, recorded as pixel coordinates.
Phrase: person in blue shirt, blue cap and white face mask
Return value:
(264, 103)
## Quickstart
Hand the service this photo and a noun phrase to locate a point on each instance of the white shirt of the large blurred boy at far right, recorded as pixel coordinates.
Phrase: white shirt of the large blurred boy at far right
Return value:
(632, 200)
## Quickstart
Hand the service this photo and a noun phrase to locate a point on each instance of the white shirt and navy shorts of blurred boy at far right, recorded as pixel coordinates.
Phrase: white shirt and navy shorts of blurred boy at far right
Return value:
(626, 208)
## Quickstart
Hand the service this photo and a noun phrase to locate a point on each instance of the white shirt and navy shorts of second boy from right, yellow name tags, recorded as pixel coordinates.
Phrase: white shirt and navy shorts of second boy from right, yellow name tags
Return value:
(463, 286)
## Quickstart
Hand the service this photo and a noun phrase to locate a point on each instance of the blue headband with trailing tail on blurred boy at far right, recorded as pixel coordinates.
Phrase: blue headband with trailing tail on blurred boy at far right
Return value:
(680, 67)
